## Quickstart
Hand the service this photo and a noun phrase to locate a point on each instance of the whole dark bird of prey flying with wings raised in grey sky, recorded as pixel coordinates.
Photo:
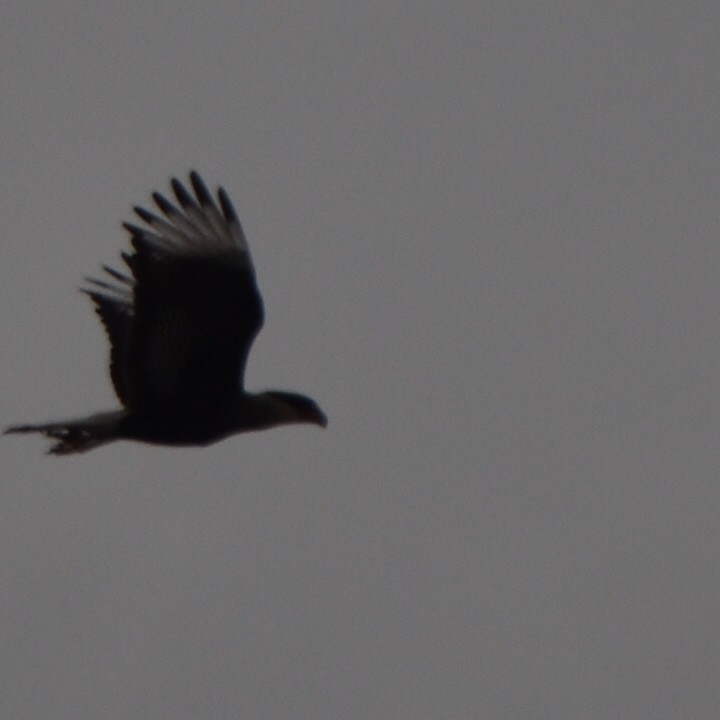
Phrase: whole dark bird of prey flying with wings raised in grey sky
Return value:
(181, 321)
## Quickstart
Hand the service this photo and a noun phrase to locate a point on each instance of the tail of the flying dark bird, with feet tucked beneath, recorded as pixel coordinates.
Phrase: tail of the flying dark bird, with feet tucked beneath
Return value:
(75, 436)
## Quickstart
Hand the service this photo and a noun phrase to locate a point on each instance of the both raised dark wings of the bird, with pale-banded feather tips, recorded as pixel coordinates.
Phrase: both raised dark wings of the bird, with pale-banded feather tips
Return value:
(183, 342)
